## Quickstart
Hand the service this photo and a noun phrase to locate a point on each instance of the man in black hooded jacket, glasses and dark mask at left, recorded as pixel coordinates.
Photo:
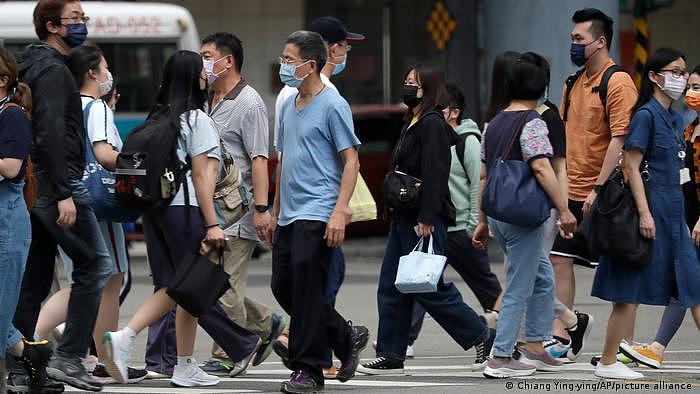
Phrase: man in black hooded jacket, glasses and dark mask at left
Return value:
(62, 214)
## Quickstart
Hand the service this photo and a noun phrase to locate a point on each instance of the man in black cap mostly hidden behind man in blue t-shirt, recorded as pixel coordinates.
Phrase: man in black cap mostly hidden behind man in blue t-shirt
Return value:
(336, 37)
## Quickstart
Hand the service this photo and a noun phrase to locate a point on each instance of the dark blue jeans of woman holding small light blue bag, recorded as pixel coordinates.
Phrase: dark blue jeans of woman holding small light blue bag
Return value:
(396, 309)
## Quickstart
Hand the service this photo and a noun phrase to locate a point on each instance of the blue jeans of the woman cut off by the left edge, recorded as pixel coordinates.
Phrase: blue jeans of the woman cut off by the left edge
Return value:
(15, 237)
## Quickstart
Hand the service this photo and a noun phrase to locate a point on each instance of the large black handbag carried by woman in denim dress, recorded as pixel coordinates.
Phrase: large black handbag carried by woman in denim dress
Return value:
(611, 227)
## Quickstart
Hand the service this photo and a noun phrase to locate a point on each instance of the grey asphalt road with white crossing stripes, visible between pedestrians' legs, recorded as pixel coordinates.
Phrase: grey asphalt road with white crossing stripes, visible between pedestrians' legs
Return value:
(440, 366)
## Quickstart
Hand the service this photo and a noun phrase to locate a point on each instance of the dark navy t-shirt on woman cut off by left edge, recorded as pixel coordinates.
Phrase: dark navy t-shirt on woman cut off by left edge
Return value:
(15, 137)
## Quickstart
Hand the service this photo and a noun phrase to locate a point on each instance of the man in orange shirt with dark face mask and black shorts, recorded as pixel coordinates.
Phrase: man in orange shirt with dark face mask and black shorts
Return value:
(595, 136)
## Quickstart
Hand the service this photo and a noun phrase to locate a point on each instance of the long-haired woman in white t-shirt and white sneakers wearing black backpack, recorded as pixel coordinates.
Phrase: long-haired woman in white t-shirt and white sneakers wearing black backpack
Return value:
(184, 90)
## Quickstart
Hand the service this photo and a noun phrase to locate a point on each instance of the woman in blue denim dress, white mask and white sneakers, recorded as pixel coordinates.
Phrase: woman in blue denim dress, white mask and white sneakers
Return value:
(656, 134)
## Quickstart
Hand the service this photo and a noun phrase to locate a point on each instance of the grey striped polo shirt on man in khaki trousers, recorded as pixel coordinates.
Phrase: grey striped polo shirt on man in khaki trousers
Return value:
(243, 127)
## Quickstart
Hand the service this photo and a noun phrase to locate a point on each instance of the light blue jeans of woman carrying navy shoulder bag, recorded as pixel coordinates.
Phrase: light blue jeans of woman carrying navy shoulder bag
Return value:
(529, 286)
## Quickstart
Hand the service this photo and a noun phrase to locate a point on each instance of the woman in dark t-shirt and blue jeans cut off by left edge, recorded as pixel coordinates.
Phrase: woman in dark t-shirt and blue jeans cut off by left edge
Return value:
(15, 227)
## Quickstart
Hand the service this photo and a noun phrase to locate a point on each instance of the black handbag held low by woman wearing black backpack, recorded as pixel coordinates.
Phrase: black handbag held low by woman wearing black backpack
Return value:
(198, 283)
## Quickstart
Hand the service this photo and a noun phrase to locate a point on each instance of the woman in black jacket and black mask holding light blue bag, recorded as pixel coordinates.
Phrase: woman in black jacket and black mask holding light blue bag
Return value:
(423, 152)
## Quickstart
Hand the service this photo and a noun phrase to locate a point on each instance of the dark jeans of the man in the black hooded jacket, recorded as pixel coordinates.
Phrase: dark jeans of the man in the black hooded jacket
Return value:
(83, 243)
